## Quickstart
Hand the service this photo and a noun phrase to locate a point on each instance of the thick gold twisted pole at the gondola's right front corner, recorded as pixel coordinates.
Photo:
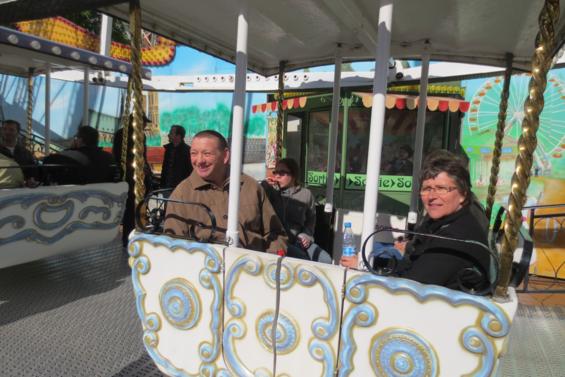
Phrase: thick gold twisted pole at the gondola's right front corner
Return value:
(541, 62)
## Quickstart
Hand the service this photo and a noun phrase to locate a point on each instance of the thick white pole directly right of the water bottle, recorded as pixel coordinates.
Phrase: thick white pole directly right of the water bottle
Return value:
(377, 120)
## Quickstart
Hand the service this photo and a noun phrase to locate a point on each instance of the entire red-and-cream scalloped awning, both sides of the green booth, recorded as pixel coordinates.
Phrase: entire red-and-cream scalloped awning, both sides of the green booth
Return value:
(398, 101)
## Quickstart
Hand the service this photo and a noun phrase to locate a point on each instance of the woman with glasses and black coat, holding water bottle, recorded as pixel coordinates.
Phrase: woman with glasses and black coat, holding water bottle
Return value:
(445, 191)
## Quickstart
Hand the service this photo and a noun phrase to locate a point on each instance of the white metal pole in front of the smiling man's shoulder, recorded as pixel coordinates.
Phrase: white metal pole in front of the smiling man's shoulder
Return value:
(232, 233)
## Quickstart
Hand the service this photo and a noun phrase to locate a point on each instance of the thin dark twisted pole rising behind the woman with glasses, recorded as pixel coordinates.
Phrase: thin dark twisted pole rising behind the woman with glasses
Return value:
(497, 151)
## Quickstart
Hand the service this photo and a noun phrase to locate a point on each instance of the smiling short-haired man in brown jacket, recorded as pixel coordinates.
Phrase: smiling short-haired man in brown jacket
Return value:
(259, 227)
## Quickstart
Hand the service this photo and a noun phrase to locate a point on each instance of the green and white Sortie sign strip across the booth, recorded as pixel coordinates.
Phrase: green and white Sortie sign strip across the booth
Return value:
(357, 181)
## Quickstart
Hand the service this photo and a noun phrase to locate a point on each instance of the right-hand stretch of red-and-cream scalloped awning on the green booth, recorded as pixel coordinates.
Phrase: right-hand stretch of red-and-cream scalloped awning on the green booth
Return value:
(402, 101)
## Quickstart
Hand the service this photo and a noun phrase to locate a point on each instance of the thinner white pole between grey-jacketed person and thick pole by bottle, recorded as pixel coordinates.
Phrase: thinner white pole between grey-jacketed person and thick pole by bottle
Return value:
(332, 145)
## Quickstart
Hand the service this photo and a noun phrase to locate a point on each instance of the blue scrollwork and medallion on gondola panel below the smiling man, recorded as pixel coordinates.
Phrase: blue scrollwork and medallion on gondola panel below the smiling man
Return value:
(178, 301)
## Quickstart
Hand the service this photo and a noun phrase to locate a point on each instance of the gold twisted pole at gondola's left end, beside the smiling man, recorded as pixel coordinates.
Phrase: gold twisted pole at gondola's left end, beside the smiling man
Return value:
(137, 124)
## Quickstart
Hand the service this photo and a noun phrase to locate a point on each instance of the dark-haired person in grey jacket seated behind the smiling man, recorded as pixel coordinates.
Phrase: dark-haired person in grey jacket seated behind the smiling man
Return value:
(296, 209)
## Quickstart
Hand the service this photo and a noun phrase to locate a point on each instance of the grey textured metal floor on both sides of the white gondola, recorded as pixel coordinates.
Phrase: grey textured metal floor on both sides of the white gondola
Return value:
(74, 315)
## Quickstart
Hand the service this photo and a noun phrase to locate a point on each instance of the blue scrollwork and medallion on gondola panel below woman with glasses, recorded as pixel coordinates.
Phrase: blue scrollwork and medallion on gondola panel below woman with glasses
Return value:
(417, 355)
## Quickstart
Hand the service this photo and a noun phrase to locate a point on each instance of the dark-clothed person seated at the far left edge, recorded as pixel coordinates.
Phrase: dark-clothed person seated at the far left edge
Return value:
(13, 149)
